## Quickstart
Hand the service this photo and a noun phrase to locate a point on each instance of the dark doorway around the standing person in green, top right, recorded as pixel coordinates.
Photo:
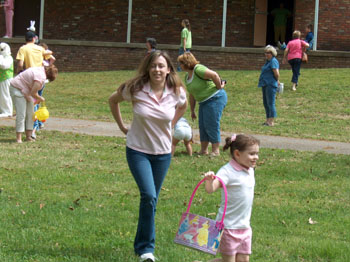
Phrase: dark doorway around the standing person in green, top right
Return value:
(270, 33)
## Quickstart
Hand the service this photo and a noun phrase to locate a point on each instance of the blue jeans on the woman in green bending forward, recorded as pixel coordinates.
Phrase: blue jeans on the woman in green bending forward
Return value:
(209, 115)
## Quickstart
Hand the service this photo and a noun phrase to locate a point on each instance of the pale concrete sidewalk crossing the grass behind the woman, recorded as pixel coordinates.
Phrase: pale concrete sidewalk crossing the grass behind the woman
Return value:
(99, 128)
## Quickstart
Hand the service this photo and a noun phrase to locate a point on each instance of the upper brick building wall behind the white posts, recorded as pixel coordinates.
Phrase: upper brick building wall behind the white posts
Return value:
(106, 20)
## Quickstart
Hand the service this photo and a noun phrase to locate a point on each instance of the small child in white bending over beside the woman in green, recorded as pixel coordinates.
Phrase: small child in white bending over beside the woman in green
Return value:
(182, 131)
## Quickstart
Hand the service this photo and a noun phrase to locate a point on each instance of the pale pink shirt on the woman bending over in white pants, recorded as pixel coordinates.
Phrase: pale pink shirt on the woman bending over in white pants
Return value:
(25, 80)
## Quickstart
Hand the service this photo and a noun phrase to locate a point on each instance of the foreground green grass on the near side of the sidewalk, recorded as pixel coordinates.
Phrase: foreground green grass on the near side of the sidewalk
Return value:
(70, 197)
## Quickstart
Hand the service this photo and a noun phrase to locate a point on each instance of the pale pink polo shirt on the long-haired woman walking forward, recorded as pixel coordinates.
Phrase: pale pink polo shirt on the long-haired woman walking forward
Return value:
(150, 131)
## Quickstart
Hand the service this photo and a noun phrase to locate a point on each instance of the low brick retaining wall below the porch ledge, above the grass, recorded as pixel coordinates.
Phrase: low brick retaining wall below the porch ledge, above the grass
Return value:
(97, 56)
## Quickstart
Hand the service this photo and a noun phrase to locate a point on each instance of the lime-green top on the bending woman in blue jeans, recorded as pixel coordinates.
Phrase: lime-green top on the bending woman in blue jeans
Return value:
(200, 88)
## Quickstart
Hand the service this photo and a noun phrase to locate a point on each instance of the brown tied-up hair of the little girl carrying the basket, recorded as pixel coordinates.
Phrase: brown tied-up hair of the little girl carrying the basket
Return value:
(239, 142)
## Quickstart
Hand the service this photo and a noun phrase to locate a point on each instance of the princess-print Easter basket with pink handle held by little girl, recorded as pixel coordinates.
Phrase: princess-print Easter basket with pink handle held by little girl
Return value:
(199, 232)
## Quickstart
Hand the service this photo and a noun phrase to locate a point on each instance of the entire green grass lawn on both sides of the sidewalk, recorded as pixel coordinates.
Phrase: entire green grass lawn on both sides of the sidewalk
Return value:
(71, 197)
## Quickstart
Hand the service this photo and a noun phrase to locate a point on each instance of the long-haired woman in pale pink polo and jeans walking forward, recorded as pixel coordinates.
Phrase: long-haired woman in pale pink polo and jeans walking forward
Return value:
(158, 100)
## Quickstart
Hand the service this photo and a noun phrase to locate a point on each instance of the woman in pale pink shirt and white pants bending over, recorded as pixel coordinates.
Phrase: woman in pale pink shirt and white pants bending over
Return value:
(24, 92)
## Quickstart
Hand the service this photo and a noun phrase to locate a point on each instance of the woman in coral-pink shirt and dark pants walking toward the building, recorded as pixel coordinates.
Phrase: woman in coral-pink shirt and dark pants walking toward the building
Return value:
(293, 53)
